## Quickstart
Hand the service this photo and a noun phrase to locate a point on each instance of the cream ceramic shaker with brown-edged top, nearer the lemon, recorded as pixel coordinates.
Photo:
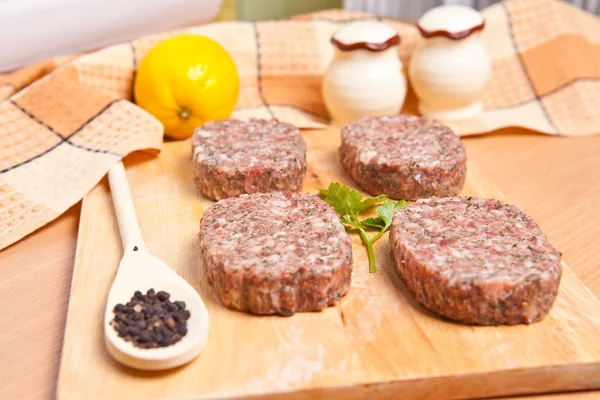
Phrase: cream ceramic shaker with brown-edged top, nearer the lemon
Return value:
(365, 77)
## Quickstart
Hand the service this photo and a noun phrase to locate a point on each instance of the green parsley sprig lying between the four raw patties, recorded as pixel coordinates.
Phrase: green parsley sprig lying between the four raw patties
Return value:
(348, 203)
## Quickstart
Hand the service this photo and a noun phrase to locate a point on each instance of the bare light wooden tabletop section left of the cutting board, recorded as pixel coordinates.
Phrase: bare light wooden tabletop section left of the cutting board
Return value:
(35, 280)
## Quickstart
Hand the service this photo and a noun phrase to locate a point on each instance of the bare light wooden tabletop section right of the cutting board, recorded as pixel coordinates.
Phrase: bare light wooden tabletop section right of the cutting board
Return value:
(557, 181)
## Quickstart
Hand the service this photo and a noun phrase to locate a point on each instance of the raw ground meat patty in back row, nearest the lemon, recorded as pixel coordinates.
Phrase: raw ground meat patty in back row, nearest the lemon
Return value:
(236, 156)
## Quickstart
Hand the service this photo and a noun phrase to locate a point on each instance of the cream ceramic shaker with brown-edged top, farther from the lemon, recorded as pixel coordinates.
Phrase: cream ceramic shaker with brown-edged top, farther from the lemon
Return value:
(451, 67)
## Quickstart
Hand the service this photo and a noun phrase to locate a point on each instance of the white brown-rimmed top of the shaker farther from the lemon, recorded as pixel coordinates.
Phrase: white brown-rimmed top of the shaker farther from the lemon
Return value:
(452, 21)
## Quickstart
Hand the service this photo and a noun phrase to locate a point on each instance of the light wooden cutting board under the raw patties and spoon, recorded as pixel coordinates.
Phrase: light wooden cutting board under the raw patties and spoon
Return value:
(377, 343)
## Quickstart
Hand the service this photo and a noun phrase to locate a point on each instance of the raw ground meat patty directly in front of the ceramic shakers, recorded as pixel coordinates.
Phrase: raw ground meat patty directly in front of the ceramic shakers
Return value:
(405, 157)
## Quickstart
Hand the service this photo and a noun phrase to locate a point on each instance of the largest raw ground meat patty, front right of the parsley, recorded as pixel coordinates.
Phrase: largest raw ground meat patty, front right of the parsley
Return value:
(476, 261)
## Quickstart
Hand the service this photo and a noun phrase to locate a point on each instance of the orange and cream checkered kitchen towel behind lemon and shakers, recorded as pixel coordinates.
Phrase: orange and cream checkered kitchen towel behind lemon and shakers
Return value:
(65, 122)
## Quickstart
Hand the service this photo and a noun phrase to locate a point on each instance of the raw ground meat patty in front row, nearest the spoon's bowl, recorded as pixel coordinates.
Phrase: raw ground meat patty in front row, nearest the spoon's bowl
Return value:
(276, 253)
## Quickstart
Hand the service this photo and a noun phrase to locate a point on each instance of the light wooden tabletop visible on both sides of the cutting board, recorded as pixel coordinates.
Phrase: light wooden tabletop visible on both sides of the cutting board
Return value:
(555, 180)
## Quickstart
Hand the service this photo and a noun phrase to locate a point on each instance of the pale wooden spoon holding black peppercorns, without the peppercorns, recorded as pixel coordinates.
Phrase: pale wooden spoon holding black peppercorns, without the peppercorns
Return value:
(140, 270)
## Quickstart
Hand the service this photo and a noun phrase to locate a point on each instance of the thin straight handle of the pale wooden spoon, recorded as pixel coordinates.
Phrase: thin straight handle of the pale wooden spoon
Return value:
(131, 235)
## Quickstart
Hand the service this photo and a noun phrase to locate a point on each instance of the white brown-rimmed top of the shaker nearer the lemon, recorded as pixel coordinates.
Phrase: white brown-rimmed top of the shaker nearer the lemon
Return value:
(368, 35)
